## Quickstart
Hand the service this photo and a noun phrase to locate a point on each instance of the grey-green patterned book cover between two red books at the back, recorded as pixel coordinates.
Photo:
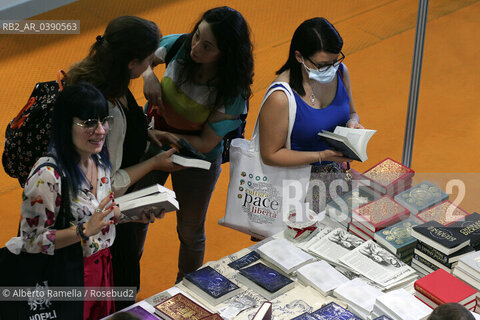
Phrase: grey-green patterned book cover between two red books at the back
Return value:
(421, 197)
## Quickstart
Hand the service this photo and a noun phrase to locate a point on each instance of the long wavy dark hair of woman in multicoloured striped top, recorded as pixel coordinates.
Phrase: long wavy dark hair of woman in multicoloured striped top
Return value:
(235, 65)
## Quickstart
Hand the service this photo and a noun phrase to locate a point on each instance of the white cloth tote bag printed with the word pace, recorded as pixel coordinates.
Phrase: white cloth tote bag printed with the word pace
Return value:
(255, 198)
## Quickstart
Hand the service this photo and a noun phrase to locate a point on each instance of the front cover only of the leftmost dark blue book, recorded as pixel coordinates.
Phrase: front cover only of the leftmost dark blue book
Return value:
(211, 282)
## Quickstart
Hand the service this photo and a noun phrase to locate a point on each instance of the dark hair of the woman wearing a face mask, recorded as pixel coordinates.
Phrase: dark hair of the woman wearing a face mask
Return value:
(312, 36)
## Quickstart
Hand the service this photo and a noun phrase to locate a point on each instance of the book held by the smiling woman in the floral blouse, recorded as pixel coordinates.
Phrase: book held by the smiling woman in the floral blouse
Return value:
(155, 202)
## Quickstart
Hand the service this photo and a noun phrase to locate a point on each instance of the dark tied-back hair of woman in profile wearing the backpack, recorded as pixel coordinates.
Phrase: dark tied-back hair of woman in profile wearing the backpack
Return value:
(126, 38)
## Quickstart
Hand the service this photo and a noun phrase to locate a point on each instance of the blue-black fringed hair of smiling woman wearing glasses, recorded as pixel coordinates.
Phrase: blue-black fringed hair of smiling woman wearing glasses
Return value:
(83, 101)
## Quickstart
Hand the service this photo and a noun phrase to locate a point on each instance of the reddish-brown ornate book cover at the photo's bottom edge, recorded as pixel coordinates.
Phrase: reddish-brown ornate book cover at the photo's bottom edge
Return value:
(179, 307)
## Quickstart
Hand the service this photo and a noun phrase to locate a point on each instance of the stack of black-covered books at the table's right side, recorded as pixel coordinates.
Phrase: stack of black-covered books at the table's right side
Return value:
(438, 247)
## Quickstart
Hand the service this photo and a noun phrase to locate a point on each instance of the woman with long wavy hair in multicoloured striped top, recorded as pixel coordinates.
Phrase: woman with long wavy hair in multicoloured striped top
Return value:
(202, 93)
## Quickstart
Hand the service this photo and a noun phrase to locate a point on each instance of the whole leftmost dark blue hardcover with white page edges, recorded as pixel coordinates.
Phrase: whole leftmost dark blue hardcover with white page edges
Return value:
(211, 285)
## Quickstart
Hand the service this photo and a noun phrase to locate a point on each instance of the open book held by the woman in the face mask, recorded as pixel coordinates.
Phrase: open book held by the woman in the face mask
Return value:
(351, 142)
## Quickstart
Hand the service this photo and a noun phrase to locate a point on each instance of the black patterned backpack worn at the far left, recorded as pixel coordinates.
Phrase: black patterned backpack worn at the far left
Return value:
(27, 136)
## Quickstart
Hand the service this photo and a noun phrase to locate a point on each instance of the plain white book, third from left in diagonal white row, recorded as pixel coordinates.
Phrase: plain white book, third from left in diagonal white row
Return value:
(359, 295)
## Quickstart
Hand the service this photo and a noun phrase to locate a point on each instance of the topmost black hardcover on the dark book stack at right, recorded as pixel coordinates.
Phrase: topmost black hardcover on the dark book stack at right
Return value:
(445, 239)
